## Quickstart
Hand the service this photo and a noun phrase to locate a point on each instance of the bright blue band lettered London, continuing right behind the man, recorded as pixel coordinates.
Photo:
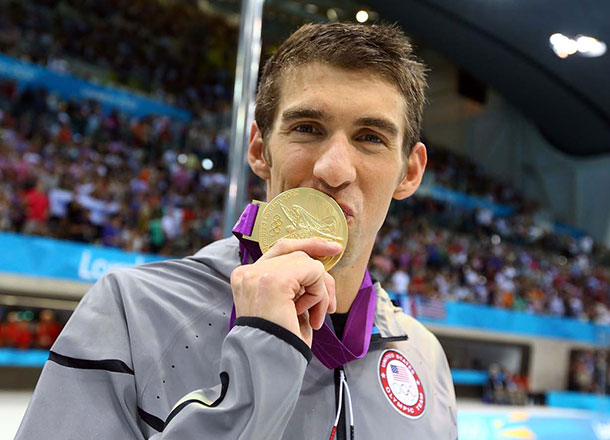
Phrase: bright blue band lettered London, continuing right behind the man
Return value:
(49, 258)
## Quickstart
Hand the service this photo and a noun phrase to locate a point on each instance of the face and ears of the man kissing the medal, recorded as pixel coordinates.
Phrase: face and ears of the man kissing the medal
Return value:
(339, 132)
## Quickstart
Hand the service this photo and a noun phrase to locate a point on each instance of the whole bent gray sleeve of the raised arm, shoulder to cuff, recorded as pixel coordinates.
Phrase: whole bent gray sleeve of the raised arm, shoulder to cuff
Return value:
(87, 388)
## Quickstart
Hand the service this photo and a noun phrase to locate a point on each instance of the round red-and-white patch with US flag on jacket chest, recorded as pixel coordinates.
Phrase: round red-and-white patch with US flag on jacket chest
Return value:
(401, 385)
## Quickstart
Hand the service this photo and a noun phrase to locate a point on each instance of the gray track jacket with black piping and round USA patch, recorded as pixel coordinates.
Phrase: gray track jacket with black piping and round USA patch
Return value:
(148, 355)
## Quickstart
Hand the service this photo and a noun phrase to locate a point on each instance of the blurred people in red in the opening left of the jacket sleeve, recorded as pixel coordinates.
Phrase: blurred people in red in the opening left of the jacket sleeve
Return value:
(26, 329)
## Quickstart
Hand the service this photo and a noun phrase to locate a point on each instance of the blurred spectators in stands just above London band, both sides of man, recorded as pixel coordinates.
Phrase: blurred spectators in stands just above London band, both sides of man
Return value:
(67, 170)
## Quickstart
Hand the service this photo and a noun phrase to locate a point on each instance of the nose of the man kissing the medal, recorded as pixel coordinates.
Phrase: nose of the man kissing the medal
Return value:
(335, 165)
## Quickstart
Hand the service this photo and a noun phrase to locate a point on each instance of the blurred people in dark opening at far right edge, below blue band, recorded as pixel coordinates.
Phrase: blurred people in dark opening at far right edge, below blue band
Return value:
(589, 371)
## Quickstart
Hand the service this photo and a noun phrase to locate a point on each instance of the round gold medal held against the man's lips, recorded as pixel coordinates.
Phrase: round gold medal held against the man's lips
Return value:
(300, 213)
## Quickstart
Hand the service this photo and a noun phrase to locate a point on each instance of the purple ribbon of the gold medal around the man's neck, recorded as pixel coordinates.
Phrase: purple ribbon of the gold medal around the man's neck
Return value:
(329, 349)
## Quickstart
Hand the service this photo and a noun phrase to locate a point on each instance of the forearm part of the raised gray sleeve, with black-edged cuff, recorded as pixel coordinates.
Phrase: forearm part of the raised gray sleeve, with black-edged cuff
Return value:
(262, 371)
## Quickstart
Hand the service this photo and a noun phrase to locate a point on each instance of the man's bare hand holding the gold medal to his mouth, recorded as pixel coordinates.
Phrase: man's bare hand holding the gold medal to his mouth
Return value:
(287, 286)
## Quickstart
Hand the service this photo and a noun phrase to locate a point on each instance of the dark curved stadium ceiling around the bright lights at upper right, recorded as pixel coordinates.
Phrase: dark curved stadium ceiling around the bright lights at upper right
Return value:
(505, 44)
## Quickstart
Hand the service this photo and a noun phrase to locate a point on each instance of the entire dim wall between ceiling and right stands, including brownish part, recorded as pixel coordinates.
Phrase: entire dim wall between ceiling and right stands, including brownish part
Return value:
(573, 190)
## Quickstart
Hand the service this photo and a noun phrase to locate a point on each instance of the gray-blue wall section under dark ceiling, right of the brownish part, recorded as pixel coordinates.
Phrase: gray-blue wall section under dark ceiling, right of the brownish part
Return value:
(575, 190)
